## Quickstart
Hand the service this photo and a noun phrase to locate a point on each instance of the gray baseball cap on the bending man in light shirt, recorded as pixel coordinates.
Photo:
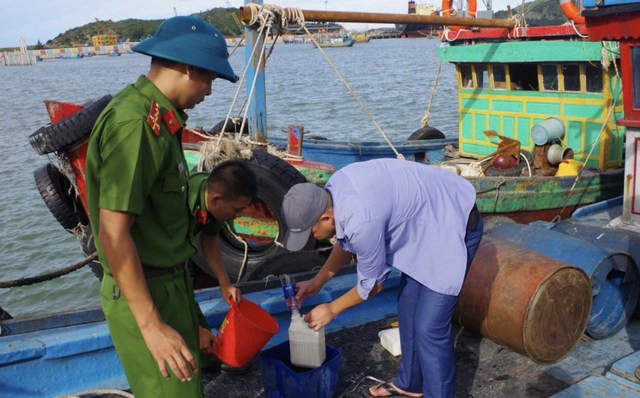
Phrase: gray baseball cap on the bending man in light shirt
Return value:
(301, 208)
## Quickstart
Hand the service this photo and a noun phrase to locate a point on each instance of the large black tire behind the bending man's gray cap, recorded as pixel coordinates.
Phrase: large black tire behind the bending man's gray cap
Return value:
(275, 177)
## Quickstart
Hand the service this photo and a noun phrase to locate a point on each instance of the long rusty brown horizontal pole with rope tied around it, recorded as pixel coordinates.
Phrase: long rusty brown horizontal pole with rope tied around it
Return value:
(369, 17)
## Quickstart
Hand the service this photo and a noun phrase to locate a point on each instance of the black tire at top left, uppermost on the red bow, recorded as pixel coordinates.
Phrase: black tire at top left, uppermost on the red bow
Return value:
(69, 131)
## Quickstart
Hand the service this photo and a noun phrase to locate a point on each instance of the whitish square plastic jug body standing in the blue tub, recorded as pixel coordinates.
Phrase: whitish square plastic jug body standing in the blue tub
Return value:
(308, 349)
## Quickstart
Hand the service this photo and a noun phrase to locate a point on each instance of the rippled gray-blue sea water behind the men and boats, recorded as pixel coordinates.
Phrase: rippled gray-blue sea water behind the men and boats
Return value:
(392, 77)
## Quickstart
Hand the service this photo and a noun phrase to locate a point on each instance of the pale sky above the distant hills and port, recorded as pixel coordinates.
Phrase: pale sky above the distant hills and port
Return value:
(43, 20)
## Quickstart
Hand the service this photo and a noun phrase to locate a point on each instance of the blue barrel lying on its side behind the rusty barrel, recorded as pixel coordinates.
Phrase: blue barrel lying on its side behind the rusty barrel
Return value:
(613, 276)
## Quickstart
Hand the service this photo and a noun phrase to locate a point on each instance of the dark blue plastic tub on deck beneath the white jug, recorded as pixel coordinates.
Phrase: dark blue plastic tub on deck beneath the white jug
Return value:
(281, 379)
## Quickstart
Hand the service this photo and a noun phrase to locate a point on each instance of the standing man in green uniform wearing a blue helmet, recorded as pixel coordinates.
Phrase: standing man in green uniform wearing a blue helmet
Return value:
(136, 179)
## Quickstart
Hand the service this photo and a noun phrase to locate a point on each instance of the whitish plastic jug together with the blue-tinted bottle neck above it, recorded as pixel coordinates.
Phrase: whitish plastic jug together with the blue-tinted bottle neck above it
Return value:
(307, 346)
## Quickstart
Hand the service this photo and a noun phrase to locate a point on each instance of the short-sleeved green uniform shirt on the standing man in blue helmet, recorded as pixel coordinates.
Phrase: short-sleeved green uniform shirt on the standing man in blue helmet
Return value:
(135, 164)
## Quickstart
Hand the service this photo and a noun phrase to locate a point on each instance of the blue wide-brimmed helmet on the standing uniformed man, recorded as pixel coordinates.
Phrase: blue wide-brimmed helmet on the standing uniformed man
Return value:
(191, 41)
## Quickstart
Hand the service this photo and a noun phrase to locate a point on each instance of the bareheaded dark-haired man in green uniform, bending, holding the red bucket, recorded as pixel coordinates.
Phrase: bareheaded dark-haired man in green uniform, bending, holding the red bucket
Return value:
(214, 198)
